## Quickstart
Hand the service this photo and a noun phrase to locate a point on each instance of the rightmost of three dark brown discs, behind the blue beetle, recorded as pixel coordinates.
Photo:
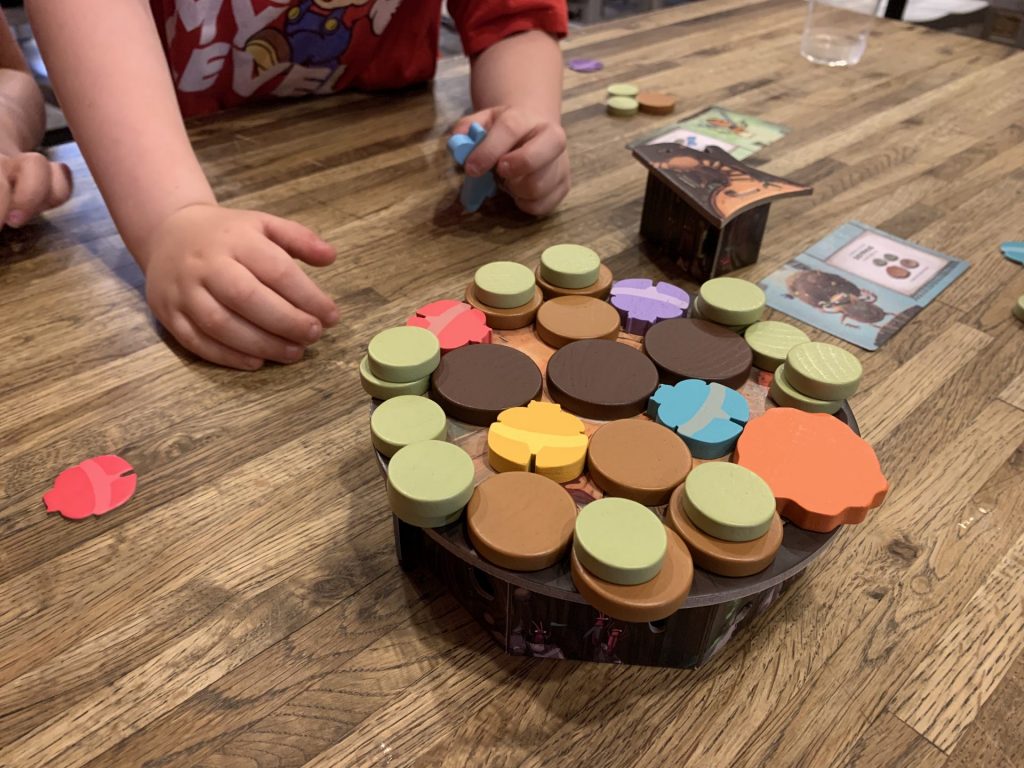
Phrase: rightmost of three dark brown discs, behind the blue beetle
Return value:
(686, 349)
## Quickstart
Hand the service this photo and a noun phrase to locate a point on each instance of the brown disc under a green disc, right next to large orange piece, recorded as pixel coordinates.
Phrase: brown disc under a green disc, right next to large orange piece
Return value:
(721, 558)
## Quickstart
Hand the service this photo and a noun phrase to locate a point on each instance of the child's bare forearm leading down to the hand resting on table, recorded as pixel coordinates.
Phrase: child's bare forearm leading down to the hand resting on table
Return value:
(110, 73)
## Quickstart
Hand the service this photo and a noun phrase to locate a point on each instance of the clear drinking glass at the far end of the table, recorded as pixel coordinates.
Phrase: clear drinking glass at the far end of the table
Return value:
(836, 31)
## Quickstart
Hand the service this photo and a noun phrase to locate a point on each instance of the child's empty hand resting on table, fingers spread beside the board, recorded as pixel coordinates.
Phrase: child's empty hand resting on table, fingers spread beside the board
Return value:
(225, 283)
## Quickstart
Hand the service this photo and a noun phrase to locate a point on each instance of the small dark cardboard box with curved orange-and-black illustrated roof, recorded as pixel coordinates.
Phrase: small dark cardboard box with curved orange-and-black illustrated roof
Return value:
(706, 209)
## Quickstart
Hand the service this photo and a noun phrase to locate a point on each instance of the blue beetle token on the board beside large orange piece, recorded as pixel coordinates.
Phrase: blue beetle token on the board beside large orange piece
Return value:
(708, 417)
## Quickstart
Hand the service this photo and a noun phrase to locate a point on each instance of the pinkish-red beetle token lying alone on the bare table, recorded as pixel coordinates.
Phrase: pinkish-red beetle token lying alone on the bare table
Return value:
(93, 488)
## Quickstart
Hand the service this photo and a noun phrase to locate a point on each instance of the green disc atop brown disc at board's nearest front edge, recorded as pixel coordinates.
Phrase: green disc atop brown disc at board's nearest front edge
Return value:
(620, 541)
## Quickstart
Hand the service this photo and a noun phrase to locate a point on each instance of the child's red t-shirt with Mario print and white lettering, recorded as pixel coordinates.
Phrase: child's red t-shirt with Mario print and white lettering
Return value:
(225, 53)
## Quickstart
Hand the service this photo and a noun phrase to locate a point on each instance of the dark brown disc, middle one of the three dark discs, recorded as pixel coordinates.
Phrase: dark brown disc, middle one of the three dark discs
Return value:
(602, 379)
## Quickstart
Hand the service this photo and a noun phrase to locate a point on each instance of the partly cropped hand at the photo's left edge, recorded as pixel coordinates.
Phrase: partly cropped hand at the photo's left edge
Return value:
(30, 185)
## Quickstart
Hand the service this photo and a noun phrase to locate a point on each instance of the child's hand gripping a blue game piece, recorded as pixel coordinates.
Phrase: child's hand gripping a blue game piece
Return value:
(527, 153)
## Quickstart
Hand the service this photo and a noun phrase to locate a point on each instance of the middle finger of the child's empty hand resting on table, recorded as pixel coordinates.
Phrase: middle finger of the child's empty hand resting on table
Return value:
(235, 287)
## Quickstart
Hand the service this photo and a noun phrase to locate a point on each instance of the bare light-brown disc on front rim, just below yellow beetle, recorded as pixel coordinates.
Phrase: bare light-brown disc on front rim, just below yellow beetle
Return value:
(521, 521)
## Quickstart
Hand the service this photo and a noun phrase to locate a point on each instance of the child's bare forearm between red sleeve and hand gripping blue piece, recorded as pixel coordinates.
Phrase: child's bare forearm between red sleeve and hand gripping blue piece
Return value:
(524, 71)
